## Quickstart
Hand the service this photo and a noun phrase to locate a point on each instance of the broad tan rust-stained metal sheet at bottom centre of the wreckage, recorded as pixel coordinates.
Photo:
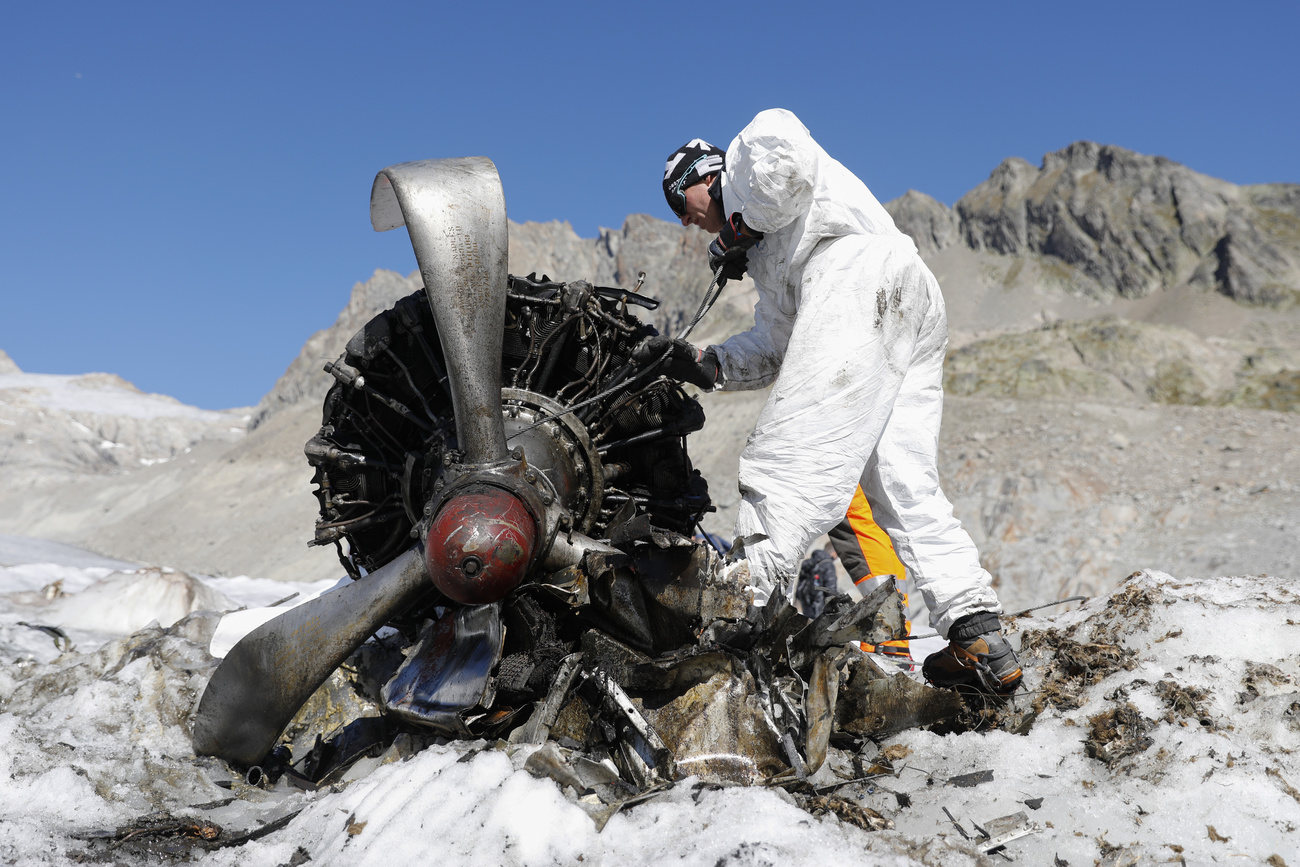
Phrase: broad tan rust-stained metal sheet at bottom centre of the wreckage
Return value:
(720, 729)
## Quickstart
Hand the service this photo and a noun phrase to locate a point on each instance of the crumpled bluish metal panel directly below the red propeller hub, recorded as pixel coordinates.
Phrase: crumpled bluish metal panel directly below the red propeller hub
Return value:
(449, 671)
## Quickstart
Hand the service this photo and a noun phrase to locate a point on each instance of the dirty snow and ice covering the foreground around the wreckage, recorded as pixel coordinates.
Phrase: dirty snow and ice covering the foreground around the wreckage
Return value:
(94, 740)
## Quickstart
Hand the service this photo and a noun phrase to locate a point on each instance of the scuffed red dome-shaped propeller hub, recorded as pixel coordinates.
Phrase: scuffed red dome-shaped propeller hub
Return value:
(480, 545)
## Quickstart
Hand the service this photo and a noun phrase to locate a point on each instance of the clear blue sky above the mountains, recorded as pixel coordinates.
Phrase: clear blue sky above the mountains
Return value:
(184, 188)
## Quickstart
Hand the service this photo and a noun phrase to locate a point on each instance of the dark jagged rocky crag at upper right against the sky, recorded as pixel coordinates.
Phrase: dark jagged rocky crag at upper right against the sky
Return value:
(1128, 224)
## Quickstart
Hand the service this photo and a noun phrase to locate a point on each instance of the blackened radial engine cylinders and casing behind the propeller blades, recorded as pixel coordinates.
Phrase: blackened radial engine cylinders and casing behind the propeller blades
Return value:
(379, 470)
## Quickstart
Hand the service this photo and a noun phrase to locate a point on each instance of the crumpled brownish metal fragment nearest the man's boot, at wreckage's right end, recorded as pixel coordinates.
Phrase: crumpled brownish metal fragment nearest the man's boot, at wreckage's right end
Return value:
(874, 704)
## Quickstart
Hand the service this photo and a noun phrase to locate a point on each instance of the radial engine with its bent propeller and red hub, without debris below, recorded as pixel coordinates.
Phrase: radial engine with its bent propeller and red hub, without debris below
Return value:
(444, 489)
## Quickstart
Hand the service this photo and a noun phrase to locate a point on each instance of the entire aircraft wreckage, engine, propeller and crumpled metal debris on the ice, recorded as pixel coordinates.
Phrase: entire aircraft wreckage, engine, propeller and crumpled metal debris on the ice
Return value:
(513, 497)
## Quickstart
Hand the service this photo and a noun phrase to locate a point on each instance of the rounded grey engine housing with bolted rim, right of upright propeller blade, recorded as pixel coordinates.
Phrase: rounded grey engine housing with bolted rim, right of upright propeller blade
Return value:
(558, 446)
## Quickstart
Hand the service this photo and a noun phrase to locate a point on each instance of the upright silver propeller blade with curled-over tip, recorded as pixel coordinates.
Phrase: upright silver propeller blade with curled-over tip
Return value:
(456, 214)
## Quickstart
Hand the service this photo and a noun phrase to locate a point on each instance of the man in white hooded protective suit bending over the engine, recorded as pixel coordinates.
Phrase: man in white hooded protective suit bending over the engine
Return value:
(851, 333)
